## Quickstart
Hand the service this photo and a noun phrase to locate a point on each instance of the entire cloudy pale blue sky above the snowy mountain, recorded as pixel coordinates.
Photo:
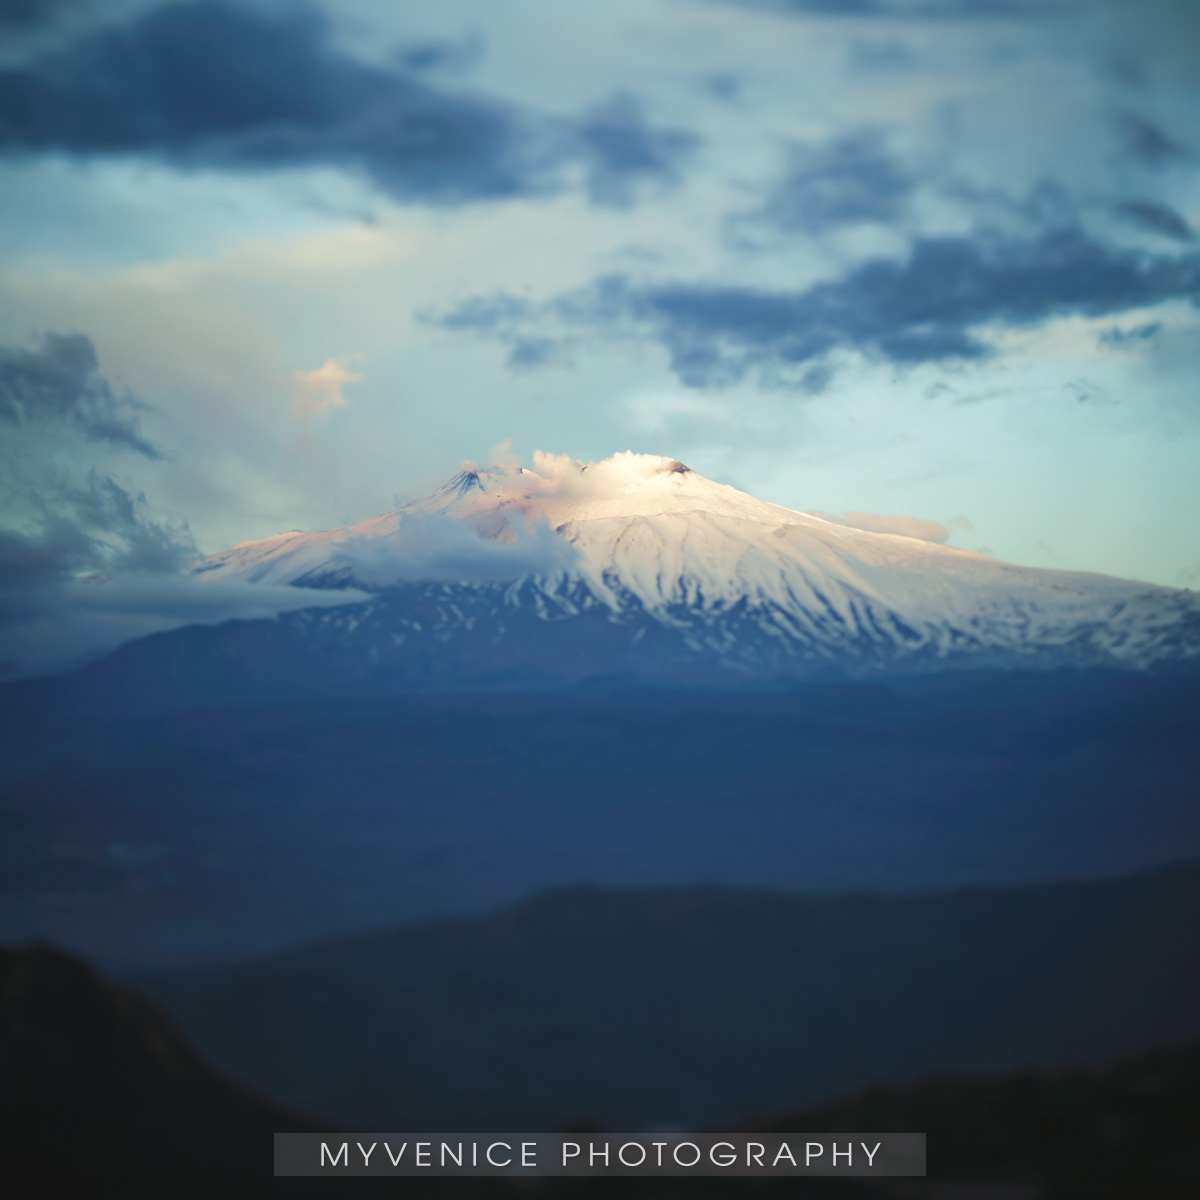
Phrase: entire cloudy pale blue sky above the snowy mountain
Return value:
(286, 266)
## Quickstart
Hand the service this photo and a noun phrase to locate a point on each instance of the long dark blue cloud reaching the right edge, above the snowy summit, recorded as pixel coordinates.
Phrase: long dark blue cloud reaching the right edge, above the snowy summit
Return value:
(928, 308)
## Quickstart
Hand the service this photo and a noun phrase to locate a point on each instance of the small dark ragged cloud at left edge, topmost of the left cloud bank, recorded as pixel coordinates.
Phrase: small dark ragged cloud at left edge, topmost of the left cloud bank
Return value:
(61, 382)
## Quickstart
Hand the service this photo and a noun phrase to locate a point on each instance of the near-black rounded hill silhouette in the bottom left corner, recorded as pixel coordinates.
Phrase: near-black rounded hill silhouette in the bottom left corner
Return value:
(98, 1087)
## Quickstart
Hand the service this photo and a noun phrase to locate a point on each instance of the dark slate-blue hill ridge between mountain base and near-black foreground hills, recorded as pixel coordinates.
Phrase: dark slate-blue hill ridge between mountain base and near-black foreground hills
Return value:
(645, 1010)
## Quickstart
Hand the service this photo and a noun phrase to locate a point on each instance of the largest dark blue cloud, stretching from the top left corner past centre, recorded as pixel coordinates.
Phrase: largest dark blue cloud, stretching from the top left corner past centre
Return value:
(220, 86)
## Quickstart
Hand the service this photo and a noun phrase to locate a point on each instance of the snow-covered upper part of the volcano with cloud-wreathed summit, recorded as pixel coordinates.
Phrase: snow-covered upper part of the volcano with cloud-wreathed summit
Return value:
(639, 563)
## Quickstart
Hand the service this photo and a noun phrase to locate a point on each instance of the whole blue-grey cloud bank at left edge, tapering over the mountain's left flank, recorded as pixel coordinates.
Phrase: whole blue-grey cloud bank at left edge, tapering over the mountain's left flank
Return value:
(85, 562)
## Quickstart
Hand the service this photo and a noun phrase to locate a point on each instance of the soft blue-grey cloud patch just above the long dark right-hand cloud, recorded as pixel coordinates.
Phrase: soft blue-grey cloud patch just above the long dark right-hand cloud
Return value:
(851, 181)
